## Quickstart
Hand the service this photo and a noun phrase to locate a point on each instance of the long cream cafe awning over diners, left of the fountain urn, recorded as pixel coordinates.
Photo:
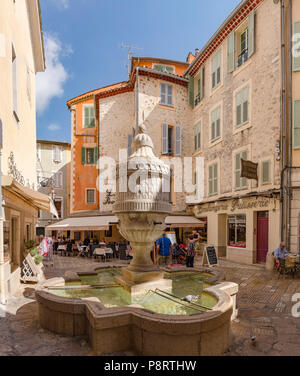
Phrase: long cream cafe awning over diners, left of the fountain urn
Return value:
(84, 223)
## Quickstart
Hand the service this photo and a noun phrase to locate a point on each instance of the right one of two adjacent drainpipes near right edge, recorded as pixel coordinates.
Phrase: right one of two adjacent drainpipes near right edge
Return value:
(290, 162)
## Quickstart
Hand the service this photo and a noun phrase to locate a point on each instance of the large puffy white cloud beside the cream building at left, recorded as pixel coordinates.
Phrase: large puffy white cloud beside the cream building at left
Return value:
(49, 84)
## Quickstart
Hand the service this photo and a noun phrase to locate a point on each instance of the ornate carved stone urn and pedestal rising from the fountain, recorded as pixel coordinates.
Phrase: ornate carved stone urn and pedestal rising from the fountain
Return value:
(142, 211)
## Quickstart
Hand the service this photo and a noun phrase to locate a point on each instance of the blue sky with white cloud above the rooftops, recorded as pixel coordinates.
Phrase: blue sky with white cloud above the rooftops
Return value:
(83, 38)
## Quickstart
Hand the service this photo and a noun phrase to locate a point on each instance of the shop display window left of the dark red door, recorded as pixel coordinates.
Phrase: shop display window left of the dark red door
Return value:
(237, 231)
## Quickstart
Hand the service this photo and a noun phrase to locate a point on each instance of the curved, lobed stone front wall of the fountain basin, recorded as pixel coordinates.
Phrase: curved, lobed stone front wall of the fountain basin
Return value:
(147, 333)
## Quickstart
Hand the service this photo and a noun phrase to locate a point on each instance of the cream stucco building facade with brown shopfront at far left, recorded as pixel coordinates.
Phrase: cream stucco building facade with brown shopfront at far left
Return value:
(21, 57)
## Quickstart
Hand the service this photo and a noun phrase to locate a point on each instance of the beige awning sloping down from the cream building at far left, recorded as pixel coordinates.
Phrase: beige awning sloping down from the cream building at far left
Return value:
(33, 198)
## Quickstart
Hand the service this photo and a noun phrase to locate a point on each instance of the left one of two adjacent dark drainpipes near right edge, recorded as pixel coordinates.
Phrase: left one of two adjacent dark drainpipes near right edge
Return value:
(283, 119)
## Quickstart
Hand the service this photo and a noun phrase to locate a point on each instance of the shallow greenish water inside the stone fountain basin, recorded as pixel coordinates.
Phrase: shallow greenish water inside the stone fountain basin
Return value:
(186, 283)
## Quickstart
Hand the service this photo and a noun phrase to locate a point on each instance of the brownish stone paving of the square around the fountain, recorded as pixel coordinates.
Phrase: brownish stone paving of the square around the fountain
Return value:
(264, 303)
